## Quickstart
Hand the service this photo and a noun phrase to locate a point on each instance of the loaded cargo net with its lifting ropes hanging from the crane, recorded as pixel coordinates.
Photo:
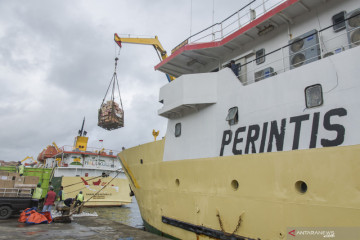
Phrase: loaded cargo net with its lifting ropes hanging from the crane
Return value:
(111, 114)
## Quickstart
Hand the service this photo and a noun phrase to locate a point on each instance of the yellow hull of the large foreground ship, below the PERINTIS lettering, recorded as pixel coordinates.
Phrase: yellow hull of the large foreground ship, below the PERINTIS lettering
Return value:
(253, 196)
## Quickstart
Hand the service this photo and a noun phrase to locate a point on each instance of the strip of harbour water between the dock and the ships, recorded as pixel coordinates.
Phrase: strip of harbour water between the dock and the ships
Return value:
(128, 214)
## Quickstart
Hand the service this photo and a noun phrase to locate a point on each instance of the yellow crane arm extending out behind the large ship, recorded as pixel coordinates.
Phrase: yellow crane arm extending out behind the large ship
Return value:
(146, 41)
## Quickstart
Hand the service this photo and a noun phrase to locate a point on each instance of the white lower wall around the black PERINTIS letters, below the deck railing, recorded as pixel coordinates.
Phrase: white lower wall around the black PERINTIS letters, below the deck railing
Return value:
(274, 98)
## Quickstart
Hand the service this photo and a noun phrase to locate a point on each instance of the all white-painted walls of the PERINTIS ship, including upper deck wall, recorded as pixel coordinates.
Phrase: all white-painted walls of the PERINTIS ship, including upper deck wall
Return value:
(275, 98)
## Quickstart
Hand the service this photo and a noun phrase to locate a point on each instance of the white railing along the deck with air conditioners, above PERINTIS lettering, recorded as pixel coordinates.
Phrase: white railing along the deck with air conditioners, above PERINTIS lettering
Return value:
(281, 58)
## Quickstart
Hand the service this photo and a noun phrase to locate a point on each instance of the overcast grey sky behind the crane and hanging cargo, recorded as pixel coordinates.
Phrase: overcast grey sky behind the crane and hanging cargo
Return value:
(57, 59)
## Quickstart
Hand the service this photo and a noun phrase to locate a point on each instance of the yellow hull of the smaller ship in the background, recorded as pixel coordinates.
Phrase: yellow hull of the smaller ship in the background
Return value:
(115, 194)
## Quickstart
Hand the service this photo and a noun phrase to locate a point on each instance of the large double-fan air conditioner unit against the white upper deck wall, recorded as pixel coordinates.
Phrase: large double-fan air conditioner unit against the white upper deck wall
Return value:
(304, 49)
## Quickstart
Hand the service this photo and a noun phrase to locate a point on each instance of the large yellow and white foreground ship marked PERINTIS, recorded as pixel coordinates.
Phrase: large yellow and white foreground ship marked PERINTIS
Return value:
(262, 134)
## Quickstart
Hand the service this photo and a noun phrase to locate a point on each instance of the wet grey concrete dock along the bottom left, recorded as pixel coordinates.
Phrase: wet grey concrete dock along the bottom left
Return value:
(88, 228)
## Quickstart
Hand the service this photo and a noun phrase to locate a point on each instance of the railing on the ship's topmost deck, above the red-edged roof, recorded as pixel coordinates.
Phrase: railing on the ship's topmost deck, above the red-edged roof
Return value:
(234, 22)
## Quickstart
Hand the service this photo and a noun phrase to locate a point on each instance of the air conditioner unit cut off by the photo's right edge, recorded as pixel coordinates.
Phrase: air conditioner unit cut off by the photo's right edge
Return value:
(353, 27)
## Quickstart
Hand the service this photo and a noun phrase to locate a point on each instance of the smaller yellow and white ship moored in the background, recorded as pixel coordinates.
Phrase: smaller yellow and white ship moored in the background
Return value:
(95, 171)
